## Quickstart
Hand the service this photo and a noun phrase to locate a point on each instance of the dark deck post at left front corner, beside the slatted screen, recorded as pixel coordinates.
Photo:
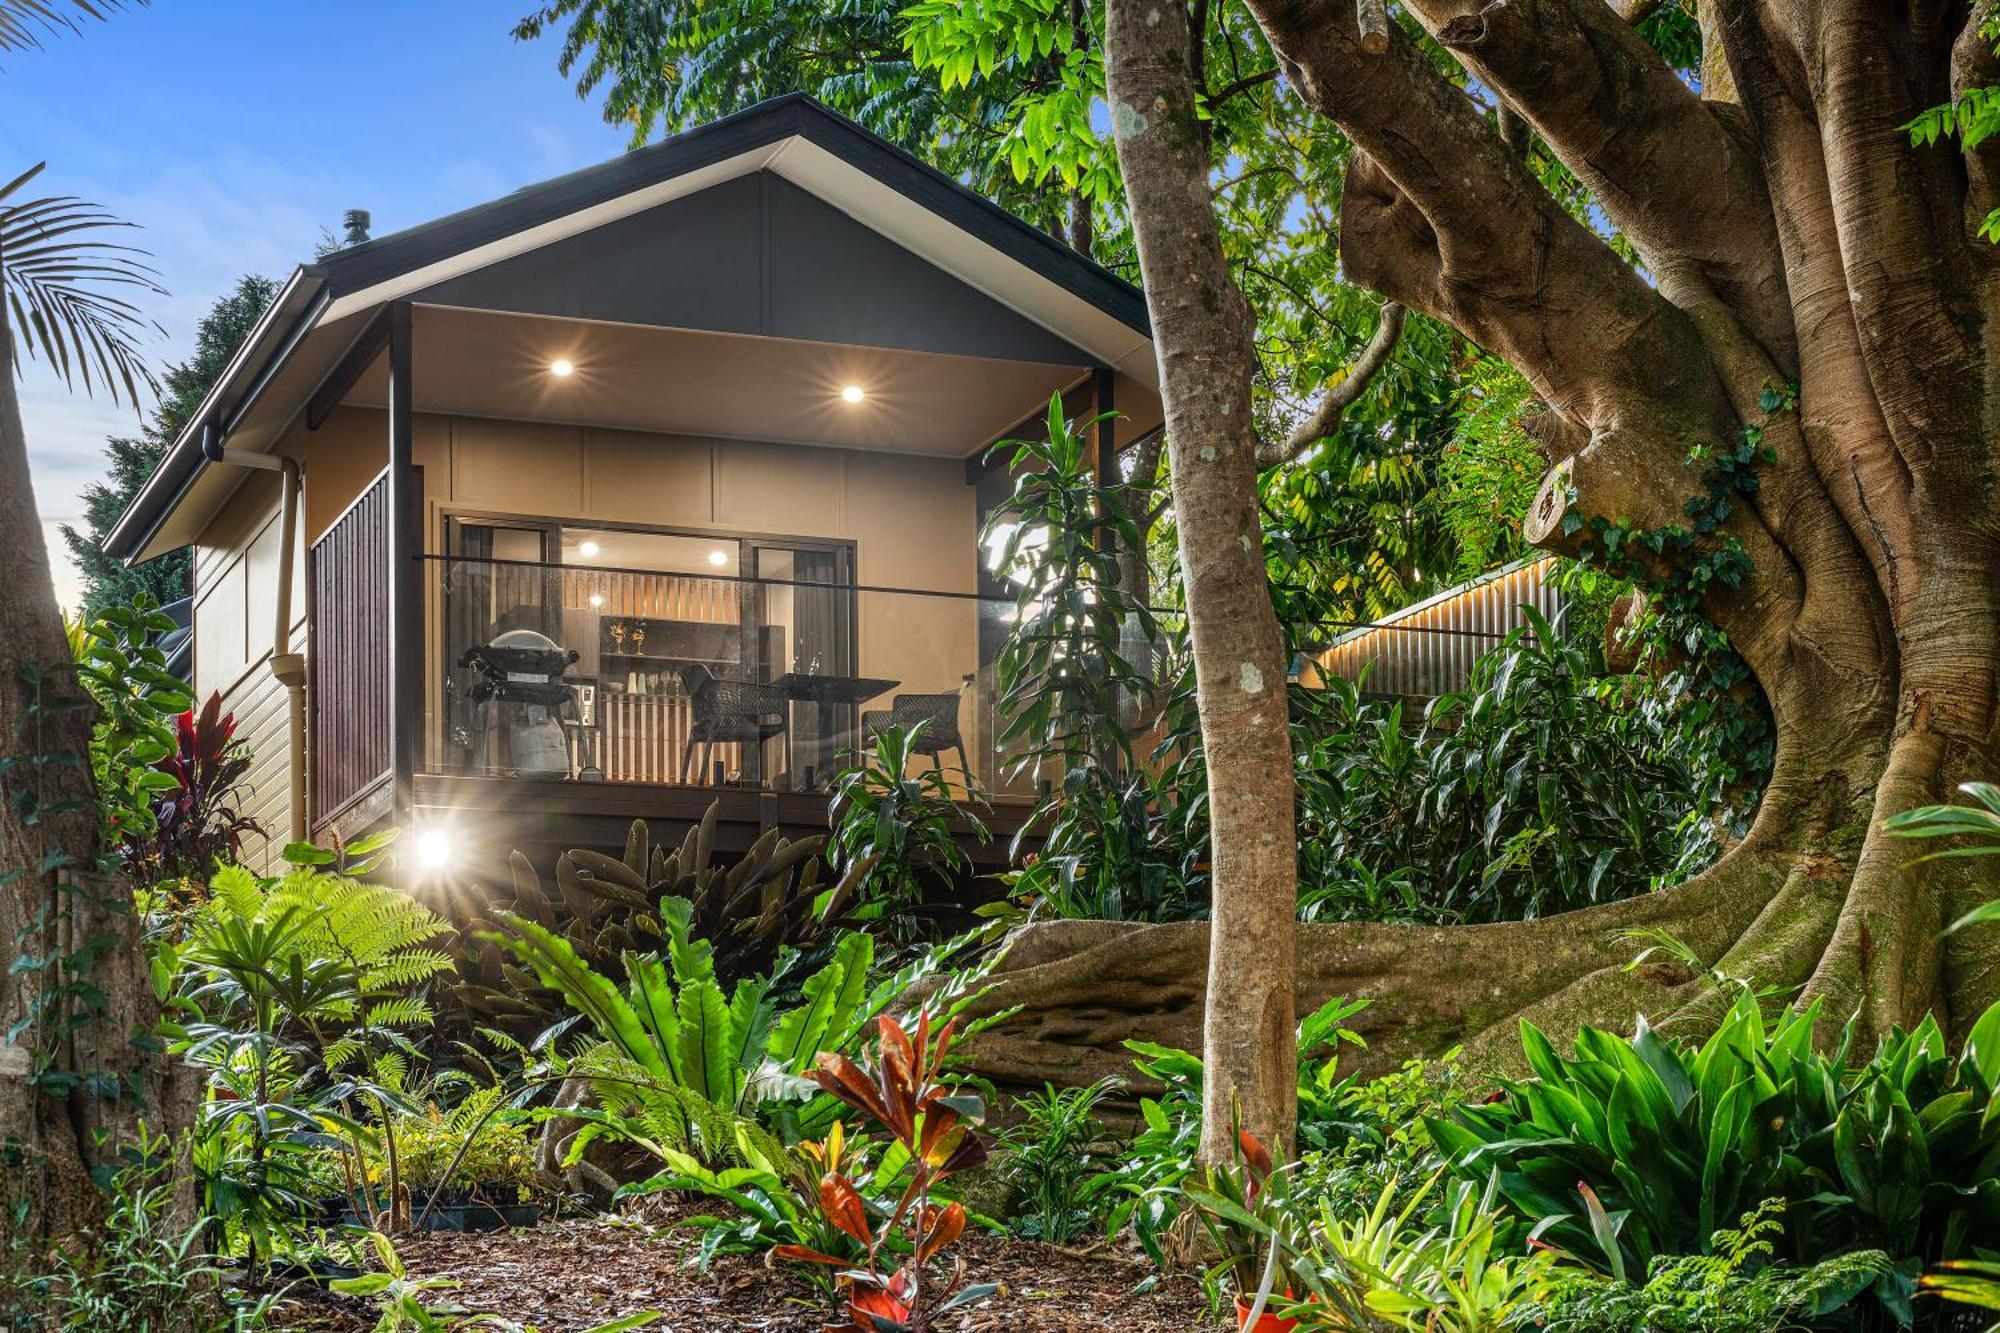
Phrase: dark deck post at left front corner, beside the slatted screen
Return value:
(405, 569)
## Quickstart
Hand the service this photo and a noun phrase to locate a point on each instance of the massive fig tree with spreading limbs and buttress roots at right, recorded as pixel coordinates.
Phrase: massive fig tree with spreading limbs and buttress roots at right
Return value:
(1815, 287)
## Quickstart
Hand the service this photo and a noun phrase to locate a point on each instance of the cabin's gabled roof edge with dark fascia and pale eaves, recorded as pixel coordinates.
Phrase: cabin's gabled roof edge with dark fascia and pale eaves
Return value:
(889, 191)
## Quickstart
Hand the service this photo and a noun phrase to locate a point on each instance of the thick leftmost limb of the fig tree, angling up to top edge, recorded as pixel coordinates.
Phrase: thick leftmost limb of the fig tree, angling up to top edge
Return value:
(1439, 215)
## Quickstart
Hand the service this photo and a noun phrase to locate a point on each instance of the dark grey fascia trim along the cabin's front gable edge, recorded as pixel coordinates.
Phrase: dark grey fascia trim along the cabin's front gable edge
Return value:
(767, 123)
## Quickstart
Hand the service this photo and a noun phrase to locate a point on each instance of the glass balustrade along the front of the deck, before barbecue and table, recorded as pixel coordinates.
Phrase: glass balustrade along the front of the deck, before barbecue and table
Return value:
(611, 676)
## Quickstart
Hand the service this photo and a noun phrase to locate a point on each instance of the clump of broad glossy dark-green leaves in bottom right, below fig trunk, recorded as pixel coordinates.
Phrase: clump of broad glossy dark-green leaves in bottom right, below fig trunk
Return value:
(1643, 1148)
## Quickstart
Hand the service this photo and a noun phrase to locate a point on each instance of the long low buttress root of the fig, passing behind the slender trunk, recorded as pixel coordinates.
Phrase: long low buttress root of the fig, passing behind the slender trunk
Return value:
(1085, 988)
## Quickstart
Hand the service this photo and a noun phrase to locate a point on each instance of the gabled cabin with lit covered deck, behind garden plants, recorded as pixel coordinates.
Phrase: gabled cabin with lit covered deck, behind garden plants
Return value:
(631, 491)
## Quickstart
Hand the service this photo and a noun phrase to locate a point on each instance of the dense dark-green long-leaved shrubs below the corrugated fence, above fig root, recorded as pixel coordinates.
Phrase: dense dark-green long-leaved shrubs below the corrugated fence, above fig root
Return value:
(1541, 788)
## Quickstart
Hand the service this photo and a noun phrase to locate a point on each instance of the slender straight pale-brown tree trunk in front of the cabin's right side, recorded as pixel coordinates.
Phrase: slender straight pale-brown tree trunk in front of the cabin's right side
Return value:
(1203, 337)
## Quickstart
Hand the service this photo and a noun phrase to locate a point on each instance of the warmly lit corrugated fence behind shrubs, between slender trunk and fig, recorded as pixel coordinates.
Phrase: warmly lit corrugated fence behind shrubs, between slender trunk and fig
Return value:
(1429, 649)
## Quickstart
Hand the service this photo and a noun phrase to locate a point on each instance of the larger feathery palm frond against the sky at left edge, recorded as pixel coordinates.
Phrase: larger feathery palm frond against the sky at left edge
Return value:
(67, 293)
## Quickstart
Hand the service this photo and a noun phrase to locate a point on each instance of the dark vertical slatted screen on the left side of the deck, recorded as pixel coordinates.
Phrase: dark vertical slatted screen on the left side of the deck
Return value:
(351, 688)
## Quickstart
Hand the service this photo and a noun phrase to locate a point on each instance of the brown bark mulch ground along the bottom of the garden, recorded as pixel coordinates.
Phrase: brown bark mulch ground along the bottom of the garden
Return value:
(569, 1276)
